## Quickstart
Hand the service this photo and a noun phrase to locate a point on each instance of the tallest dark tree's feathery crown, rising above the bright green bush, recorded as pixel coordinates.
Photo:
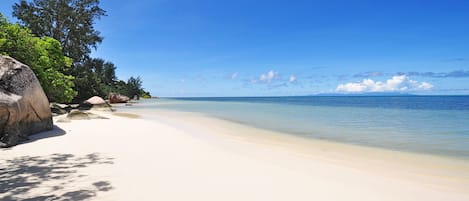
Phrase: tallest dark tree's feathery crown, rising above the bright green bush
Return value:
(71, 22)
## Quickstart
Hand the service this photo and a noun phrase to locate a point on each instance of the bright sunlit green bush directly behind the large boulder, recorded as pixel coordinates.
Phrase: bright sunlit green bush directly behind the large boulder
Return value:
(43, 55)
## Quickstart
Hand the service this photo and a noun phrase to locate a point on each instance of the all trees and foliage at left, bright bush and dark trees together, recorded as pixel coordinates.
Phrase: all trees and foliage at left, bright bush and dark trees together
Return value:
(63, 35)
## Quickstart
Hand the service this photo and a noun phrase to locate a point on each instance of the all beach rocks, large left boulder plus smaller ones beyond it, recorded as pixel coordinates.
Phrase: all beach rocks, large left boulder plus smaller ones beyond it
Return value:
(25, 109)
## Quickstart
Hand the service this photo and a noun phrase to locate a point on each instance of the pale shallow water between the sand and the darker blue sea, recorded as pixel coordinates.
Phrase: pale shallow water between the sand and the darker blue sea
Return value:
(424, 131)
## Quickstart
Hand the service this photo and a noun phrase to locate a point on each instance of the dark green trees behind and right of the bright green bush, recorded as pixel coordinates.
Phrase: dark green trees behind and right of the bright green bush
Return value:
(71, 22)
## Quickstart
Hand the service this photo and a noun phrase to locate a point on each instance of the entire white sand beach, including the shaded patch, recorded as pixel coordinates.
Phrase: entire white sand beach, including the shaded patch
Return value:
(182, 156)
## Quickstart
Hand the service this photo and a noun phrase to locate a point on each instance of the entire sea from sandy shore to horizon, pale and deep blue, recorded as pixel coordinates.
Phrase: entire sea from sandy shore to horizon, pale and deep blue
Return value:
(424, 124)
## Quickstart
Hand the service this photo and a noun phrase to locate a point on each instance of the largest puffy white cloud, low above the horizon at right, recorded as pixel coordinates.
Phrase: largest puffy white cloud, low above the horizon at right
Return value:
(398, 83)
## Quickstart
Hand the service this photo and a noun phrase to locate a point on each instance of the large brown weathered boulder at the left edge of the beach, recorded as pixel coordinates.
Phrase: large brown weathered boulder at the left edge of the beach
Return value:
(24, 108)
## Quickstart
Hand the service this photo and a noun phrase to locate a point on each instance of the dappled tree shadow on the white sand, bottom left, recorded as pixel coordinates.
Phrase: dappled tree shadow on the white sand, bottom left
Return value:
(52, 176)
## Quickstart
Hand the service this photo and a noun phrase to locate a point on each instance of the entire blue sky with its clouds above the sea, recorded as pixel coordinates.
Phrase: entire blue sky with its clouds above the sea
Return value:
(188, 48)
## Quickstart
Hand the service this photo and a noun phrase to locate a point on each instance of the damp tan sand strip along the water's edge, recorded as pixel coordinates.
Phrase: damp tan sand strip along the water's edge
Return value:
(409, 164)
